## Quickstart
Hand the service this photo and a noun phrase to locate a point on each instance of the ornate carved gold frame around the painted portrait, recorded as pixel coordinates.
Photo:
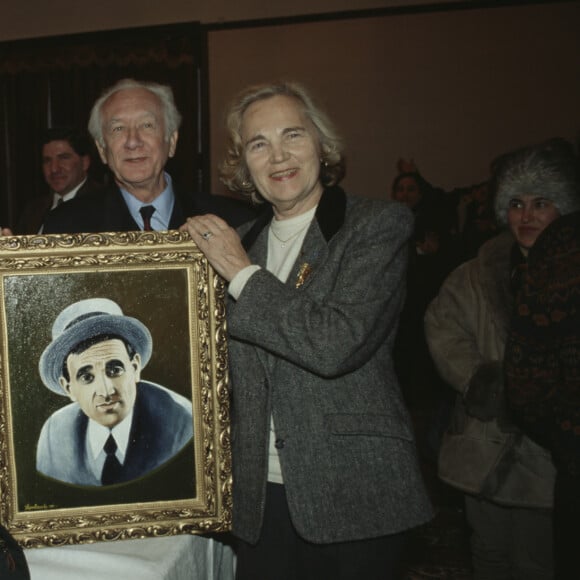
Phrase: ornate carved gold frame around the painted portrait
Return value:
(103, 257)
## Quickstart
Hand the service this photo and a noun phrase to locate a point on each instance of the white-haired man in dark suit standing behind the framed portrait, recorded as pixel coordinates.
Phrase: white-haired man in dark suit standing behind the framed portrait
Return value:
(136, 126)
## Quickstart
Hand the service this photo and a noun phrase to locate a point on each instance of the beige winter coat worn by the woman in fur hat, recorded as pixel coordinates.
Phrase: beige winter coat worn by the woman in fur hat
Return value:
(467, 325)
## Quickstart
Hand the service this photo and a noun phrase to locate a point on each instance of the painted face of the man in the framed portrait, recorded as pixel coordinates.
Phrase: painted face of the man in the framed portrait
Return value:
(103, 381)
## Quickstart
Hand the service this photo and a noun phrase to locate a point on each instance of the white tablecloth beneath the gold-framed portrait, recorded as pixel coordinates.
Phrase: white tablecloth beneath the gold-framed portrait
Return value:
(181, 557)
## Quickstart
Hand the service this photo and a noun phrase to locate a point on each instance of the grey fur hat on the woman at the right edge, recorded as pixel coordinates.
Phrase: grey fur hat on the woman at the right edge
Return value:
(549, 169)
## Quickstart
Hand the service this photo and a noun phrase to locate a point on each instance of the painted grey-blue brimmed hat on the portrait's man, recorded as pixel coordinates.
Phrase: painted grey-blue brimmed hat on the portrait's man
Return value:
(83, 320)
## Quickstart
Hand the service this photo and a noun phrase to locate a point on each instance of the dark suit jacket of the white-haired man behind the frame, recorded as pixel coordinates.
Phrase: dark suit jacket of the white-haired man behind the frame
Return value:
(107, 212)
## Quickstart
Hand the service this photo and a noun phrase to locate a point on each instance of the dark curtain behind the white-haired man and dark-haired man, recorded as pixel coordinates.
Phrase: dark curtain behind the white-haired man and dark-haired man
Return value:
(54, 82)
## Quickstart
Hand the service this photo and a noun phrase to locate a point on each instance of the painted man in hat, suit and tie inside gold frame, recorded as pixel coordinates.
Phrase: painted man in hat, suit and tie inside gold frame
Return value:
(117, 427)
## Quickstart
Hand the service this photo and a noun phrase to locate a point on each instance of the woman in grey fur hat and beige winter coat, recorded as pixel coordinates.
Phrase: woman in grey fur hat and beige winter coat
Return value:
(507, 478)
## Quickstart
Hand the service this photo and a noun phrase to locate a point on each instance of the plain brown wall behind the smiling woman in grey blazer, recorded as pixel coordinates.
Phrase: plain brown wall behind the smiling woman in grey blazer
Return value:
(451, 89)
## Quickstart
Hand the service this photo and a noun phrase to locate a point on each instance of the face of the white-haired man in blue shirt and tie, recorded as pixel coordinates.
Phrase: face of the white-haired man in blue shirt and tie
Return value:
(135, 145)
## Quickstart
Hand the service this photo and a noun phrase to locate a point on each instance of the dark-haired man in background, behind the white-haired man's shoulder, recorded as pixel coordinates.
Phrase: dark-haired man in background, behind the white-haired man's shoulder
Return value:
(65, 163)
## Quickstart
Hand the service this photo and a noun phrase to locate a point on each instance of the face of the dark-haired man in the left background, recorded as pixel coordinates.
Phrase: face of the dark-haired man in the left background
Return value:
(63, 167)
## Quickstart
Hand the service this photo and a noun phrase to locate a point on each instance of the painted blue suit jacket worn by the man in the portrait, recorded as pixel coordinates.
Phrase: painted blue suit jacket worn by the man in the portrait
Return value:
(161, 427)
